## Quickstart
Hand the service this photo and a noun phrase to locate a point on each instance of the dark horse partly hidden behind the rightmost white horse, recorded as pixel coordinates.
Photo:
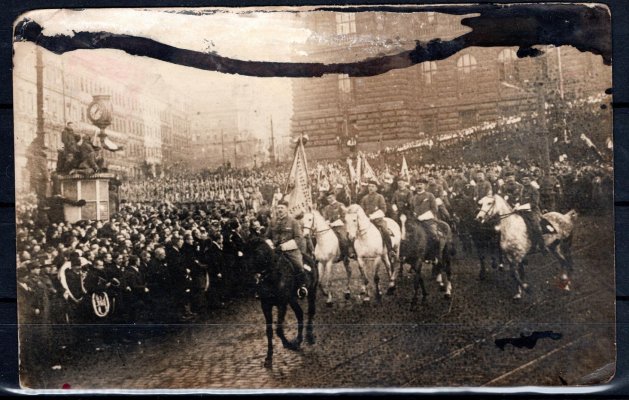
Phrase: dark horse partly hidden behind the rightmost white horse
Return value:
(484, 237)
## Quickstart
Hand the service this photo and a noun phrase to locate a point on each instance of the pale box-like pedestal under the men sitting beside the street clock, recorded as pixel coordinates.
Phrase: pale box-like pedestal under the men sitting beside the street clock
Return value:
(94, 189)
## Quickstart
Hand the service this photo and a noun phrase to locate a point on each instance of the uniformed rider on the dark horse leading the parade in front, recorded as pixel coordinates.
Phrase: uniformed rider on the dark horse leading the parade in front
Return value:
(285, 232)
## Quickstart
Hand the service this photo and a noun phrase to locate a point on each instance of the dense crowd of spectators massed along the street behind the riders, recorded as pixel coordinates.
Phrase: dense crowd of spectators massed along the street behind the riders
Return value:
(173, 251)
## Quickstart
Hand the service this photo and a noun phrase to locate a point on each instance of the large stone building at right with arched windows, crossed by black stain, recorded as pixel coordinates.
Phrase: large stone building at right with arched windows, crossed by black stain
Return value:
(429, 99)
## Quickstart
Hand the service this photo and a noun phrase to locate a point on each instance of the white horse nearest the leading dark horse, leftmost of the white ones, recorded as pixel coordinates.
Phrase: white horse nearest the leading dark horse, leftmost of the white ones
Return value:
(327, 252)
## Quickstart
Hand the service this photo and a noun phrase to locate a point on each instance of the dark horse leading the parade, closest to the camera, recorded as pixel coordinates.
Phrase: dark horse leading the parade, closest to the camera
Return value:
(277, 288)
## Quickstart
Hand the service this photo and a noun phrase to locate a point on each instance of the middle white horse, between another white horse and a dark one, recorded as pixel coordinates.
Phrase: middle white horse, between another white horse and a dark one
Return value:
(370, 248)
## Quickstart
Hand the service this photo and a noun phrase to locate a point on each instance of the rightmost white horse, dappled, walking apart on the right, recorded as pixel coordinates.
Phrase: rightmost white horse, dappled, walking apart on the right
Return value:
(516, 243)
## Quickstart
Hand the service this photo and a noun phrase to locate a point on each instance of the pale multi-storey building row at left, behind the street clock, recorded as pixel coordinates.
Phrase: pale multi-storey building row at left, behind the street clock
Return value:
(153, 126)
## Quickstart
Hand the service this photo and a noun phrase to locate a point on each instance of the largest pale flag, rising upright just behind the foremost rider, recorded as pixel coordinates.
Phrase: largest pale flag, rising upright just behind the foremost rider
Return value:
(300, 197)
